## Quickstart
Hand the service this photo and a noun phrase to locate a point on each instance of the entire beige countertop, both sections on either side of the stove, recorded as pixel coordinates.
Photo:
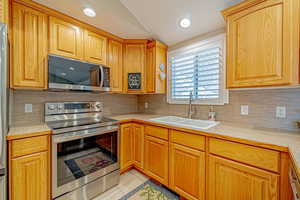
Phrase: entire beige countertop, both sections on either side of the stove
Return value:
(283, 140)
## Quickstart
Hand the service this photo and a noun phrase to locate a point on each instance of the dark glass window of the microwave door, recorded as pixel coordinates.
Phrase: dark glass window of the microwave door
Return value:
(66, 71)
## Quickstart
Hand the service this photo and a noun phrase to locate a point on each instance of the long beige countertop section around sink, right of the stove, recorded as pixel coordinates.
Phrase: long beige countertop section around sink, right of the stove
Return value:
(284, 140)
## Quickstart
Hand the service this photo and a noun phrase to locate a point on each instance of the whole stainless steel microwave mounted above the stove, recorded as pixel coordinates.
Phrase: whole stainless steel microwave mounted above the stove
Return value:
(71, 74)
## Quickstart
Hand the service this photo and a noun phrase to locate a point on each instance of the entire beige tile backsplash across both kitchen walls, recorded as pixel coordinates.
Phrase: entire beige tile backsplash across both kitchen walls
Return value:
(262, 106)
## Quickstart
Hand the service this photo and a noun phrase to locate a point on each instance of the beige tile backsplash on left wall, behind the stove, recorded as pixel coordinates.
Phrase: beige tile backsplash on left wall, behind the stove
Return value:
(113, 104)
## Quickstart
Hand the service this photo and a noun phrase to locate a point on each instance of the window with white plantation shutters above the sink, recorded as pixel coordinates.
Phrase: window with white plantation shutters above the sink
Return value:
(198, 69)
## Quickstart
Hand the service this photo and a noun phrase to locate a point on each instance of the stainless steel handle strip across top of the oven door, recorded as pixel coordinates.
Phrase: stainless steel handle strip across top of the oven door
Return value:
(83, 134)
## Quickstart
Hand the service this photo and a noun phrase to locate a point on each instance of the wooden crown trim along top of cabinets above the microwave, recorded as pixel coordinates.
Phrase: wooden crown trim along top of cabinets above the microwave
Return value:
(54, 13)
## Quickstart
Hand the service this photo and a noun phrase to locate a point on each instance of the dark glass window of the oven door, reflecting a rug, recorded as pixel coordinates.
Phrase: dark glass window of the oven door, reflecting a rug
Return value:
(78, 158)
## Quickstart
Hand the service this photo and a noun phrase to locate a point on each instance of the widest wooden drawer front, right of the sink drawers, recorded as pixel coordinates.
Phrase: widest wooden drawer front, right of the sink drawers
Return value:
(255, 156)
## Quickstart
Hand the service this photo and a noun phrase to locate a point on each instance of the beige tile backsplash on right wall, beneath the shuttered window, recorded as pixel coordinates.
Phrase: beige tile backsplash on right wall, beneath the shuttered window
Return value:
(262, 108)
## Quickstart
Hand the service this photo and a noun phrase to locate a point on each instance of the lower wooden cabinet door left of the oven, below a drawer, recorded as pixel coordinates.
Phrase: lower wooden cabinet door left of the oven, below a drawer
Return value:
(30, 177)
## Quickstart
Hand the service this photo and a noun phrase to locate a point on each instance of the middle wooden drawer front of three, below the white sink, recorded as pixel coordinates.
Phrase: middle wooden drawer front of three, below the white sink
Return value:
(187, 139)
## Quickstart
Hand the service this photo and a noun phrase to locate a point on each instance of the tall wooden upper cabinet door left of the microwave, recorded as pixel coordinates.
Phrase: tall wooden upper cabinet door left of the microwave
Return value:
(29, 48)
